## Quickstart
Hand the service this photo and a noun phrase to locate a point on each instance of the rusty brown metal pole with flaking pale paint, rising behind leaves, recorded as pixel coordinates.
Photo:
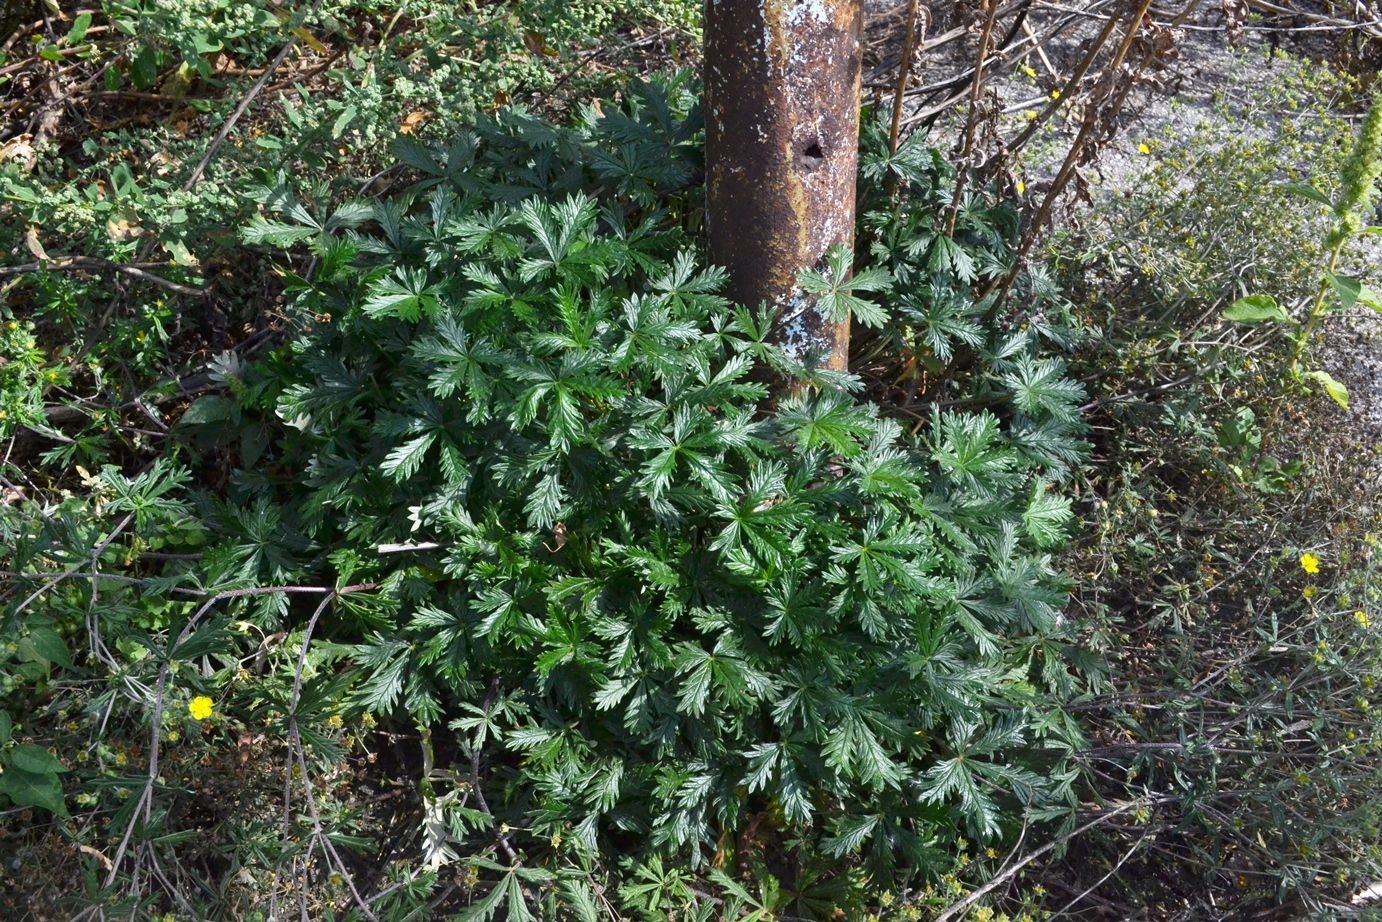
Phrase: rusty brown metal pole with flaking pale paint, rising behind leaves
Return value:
(783, 107)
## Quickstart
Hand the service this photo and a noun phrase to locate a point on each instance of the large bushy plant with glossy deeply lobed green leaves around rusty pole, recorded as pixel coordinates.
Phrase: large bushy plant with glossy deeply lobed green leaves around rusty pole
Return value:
(638, 606)
